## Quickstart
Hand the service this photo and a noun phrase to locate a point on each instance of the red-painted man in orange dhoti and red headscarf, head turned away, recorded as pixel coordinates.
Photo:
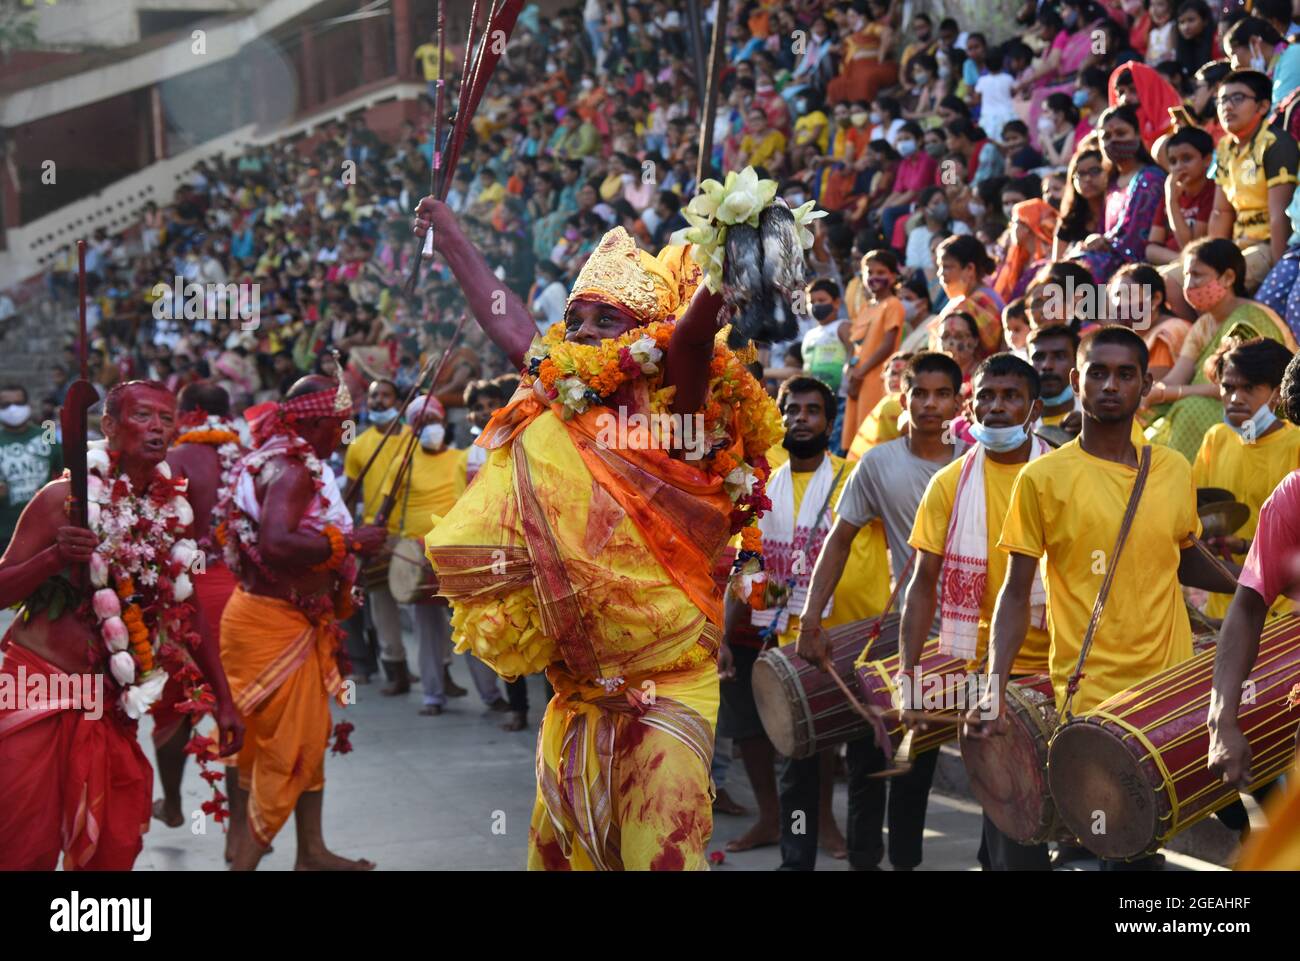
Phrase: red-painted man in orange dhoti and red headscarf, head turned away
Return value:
(289, 538)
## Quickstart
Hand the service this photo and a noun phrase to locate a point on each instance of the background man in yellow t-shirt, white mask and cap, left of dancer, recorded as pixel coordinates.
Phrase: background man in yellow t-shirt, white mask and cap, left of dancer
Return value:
(434, 483)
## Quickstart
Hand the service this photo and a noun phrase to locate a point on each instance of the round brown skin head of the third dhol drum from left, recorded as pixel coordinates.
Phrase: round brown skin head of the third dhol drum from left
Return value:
(1007, 778)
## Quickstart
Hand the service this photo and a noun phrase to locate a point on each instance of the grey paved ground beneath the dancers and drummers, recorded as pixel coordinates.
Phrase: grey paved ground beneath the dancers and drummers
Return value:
(456, 793)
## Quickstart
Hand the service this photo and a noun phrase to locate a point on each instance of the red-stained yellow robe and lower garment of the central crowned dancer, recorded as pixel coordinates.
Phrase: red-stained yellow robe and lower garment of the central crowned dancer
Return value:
(623, 777)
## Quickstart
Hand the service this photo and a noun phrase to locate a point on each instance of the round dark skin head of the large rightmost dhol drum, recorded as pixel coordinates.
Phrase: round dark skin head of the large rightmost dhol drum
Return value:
(1091, 773)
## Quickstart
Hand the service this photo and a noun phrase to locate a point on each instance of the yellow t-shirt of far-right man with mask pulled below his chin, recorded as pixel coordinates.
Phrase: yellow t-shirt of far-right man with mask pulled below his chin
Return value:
(1251, 471)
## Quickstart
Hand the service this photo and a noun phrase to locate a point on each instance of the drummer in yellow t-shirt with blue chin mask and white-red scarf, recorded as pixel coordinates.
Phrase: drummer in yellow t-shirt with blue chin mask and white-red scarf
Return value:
(1006, 400)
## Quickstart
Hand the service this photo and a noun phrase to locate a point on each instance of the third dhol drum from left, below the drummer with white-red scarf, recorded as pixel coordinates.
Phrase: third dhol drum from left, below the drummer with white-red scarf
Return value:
(1009, 774)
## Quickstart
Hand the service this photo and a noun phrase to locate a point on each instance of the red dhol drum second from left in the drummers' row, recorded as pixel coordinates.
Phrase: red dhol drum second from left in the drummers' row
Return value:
(944, 686)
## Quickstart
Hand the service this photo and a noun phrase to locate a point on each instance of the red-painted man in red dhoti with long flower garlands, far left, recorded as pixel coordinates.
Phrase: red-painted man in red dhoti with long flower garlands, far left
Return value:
(83, 651)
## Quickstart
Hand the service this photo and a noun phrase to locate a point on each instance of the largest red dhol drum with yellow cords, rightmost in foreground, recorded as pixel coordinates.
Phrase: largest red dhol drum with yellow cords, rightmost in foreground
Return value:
(1130, 774)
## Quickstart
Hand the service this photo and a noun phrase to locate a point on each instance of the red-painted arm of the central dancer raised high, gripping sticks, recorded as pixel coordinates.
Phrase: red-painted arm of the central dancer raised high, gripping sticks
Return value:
(497, 309)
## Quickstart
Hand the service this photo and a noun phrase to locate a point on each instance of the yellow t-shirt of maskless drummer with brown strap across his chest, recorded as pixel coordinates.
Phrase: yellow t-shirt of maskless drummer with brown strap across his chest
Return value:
(1069, 505)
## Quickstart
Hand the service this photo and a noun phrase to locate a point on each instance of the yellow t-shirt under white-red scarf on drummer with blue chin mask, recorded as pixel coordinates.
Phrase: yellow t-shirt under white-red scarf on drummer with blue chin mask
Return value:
(930, 534)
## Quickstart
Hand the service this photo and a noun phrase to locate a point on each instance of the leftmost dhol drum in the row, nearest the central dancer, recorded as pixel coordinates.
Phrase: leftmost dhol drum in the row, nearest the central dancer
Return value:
(801, 708)
